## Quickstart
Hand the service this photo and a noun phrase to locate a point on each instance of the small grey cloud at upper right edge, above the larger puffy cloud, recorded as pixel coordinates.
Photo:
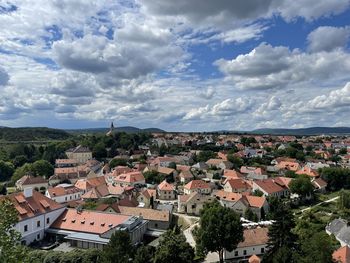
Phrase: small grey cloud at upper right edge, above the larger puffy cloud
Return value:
(327, 38)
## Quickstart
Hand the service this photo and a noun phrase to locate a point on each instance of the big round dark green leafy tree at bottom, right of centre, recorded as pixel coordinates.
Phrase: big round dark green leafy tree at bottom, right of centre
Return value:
(220, 228)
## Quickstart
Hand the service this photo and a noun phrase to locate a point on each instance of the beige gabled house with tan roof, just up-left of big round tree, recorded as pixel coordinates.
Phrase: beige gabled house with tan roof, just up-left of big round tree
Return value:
(193, 203)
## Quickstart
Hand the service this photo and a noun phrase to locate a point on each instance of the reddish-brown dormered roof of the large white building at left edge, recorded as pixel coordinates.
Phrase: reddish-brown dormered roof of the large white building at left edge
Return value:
(29, 207)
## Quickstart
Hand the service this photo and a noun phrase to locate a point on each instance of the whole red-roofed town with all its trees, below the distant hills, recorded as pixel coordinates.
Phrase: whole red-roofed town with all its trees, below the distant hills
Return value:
(85, 192)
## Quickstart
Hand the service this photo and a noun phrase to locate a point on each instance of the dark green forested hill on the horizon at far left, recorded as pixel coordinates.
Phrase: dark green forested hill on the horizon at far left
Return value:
(32, 134)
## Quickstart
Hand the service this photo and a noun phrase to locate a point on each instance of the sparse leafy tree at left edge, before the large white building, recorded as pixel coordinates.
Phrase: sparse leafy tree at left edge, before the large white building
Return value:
(10, 251)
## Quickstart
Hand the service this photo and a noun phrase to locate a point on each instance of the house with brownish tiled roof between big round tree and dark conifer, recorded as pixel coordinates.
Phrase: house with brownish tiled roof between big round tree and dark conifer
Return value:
(255, 243)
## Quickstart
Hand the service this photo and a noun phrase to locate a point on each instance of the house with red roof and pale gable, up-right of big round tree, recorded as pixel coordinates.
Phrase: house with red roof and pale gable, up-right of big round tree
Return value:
(271, 187)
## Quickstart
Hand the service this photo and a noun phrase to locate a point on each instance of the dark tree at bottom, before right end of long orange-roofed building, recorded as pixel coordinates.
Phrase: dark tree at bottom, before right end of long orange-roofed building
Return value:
(118, 249)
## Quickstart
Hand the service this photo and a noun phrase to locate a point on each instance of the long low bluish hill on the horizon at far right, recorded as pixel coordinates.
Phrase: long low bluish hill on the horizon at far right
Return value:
(305, 131)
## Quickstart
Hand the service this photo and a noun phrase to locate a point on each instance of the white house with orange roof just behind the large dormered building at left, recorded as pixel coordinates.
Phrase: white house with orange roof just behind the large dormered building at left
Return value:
(64, 193)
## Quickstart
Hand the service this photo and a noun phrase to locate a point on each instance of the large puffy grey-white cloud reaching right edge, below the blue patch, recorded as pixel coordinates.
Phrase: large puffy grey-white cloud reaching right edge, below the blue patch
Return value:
(268, 67)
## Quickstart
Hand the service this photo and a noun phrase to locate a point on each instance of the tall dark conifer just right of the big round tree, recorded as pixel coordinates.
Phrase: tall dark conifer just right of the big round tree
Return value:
(281, 238)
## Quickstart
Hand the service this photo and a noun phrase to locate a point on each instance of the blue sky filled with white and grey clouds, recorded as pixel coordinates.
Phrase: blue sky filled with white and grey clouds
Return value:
(184, 65)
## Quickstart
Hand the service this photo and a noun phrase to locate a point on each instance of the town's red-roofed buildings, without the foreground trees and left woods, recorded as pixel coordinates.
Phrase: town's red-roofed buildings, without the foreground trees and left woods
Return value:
(169, 180)
